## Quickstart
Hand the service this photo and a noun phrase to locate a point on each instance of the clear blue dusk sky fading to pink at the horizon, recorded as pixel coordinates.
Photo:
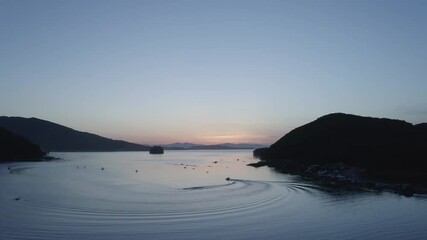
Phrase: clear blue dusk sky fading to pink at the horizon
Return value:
(158, 72)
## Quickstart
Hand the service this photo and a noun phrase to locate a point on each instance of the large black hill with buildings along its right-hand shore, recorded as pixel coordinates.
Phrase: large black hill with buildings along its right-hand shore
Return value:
(349, 149)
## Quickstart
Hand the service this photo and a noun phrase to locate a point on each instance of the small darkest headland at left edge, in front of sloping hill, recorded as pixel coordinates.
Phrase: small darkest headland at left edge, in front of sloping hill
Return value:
(16, 148)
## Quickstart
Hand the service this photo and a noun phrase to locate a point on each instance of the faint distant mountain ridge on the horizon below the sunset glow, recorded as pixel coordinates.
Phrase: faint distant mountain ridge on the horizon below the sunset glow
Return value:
(222, 146)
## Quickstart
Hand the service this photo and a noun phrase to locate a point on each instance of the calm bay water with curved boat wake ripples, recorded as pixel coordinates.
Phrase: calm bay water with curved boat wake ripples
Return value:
(184, 195)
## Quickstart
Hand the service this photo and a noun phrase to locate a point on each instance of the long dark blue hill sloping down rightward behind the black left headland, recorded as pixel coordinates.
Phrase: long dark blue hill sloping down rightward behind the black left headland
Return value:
(54, 137)
